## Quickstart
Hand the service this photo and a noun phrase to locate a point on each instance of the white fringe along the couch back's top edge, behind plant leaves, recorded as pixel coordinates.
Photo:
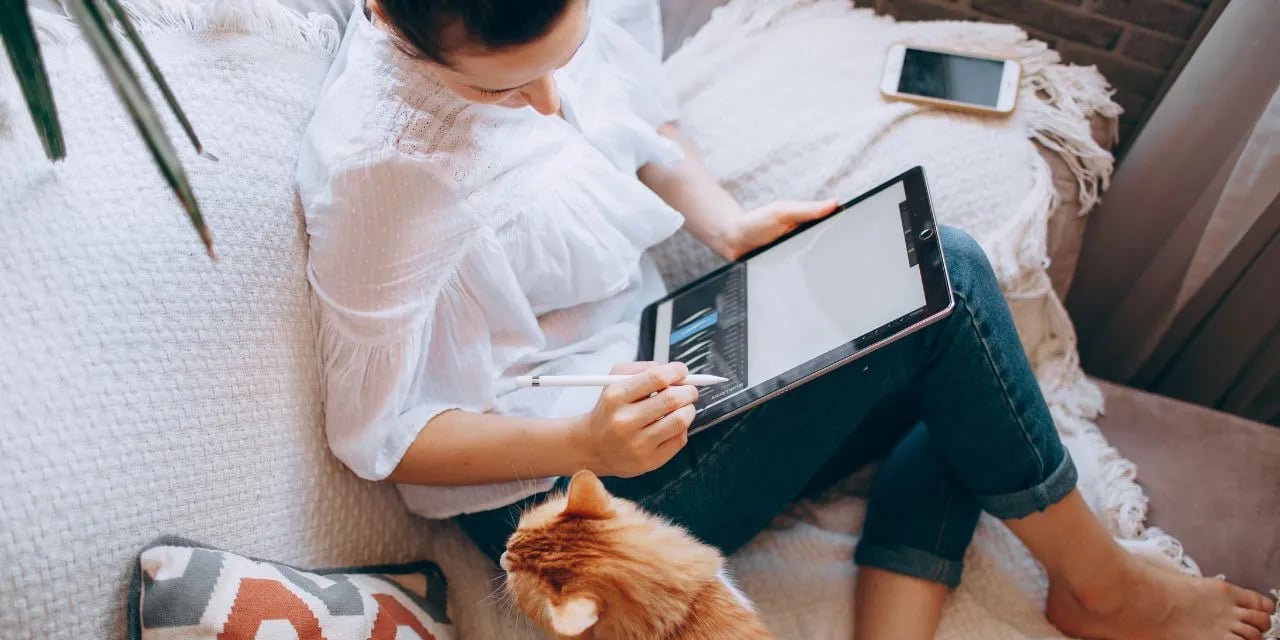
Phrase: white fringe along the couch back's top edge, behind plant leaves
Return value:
(316, 33)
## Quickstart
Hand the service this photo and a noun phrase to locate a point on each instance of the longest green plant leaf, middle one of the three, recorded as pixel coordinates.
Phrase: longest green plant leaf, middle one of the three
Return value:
(99, 35)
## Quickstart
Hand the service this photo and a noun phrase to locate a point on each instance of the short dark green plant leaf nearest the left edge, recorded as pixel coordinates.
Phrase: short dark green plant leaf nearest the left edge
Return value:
(24, 51)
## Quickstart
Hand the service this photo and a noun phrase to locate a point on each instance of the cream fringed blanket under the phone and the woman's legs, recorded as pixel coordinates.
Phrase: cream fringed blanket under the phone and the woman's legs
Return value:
(781, 97)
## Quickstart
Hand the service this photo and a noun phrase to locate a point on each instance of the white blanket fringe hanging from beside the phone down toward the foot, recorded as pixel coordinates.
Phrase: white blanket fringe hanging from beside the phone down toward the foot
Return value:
(1058, 104)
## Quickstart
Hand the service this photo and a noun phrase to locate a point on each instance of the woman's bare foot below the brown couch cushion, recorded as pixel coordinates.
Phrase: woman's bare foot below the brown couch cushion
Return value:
(1145, 602)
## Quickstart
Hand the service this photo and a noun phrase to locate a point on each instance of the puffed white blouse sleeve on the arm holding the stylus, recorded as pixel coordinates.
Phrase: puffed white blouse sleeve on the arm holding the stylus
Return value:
(419, 310)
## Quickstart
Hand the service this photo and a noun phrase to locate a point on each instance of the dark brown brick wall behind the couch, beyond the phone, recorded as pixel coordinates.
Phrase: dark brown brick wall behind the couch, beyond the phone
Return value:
(1133, 43)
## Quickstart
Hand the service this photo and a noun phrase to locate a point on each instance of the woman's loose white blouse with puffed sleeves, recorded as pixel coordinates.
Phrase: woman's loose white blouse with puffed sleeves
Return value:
(455, 246)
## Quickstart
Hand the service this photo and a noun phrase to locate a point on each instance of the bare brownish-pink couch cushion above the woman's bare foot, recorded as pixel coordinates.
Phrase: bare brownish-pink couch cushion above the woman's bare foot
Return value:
(1214, 481)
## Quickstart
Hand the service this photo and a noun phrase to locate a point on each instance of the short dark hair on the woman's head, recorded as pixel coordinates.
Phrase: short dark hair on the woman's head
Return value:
(431, 26)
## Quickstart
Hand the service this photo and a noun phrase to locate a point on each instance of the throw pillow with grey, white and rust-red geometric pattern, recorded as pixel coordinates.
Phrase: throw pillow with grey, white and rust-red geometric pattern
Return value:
(184, 591)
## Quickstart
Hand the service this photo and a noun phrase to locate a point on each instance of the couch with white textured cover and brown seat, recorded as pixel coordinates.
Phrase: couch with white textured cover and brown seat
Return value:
(145, 391)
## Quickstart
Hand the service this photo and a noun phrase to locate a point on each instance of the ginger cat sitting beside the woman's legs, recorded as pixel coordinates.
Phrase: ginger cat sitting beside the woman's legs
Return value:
(592, 566)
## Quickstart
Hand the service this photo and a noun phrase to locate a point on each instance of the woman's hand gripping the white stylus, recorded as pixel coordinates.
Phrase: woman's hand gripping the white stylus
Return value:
(638, 424)
